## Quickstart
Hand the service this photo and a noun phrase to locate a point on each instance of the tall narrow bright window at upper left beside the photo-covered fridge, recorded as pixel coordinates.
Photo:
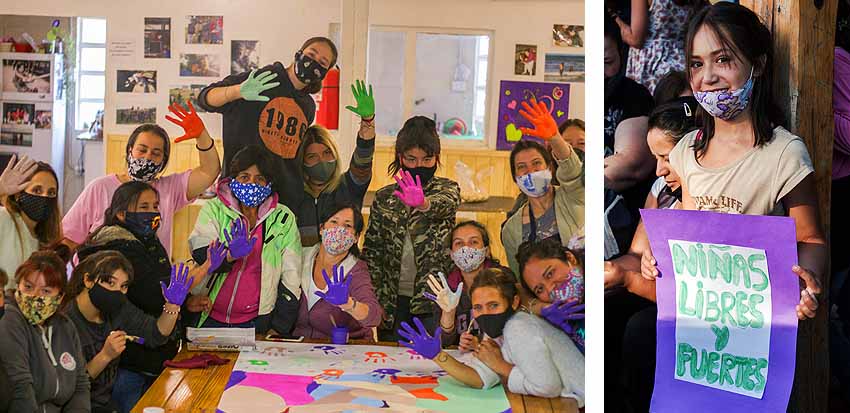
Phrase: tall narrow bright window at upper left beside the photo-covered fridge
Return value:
(91, 70)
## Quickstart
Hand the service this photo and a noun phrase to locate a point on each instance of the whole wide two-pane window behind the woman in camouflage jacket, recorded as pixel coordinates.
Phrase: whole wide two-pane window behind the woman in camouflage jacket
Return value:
(439, 74)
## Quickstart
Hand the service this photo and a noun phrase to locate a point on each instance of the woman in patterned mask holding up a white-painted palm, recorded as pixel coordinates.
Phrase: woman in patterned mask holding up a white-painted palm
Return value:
(470, 251)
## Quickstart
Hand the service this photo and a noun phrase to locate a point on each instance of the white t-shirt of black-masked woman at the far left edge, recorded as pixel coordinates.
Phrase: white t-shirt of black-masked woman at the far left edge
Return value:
(14, 250)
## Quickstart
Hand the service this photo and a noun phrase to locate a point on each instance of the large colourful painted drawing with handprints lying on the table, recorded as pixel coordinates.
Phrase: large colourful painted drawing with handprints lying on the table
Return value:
(402, 384)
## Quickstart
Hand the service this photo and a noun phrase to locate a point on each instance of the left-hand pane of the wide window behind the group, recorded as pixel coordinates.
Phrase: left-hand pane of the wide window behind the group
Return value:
(385, 71)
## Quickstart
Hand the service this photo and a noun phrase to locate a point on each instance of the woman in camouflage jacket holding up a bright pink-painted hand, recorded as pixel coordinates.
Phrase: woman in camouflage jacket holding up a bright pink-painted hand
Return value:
(408, 224)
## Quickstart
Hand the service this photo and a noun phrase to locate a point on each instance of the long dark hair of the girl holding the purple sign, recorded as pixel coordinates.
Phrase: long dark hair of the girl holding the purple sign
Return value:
(742, 33)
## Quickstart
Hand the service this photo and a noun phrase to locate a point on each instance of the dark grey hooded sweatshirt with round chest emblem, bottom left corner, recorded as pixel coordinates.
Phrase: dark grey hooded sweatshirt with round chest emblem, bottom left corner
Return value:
(44, 365)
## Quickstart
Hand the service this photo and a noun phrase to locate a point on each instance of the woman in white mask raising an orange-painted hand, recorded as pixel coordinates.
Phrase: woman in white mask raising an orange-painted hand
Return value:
(551, 210)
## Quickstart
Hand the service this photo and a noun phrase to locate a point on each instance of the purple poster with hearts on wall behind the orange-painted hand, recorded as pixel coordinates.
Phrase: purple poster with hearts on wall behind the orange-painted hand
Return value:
(511, 94)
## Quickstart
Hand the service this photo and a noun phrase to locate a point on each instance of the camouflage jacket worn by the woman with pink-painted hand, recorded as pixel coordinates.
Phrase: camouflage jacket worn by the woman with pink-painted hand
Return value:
(389, 221)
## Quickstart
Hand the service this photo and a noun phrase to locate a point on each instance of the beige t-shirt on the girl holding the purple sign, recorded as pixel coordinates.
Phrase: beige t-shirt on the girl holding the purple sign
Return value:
(752, 185)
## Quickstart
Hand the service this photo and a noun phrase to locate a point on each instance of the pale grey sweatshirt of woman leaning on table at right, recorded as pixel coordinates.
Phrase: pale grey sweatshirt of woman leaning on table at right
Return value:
(546, 362)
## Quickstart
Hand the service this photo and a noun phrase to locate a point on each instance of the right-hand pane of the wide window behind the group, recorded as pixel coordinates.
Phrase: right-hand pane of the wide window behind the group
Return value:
(446, 73)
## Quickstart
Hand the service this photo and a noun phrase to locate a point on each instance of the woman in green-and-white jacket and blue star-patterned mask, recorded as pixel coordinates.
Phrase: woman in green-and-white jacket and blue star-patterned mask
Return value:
(258, 285)
